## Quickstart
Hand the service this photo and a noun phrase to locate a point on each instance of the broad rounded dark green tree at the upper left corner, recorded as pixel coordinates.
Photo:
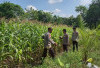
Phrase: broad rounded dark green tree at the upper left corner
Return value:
(10, 10)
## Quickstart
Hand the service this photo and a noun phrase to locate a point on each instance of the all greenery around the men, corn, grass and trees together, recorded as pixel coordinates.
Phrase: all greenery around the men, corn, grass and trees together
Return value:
(21, 44)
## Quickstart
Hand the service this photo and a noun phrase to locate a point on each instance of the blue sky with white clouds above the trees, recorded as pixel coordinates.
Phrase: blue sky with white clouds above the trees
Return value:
(63, 8)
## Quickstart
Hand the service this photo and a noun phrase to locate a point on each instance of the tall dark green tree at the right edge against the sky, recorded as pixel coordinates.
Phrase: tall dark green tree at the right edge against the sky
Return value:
(93, 14)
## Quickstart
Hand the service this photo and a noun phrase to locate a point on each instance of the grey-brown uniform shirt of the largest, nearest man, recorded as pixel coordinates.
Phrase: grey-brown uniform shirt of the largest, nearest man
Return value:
(47, 40)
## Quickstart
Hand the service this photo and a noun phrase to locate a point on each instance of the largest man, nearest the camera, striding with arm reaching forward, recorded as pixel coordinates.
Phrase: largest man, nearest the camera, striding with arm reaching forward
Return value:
(47, 44)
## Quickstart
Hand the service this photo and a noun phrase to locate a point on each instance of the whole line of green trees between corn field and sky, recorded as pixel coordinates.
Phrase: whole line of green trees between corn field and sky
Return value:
(89, 17)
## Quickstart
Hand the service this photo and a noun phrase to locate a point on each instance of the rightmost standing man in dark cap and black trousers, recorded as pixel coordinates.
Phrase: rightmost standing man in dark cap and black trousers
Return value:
(75, 37)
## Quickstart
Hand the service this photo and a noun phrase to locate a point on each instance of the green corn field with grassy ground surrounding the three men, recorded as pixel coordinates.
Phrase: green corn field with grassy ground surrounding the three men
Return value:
(21, 45)
